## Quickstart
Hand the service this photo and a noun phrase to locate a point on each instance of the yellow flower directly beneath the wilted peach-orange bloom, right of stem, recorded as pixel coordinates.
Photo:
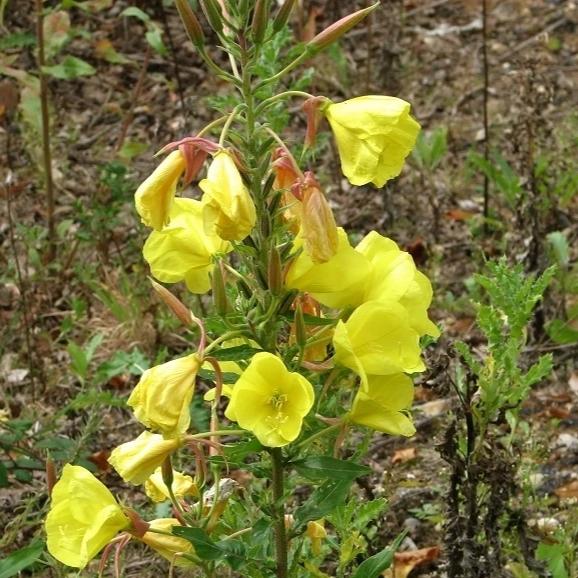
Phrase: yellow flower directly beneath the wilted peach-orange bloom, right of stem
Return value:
(339, 283)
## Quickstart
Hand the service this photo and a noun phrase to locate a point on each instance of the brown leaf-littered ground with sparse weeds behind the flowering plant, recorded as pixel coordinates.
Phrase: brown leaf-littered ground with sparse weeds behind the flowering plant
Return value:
(107, 125)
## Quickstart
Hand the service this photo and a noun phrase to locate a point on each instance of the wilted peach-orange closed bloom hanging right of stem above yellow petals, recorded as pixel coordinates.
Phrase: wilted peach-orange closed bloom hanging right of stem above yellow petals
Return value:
(318, 226)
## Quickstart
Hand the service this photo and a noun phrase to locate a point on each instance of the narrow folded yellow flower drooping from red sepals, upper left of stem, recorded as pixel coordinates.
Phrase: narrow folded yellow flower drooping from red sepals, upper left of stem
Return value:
(154, 197)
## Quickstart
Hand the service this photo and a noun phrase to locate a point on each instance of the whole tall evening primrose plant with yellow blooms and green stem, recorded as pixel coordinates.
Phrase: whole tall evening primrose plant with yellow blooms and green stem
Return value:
(309, 347)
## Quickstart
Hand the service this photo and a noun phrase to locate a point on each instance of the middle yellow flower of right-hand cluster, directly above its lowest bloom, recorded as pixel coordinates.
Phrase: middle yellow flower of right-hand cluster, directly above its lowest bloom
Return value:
(377, 339)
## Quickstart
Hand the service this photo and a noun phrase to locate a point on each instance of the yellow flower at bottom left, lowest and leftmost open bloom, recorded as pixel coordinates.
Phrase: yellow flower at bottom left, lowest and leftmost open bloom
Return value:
(84, 517)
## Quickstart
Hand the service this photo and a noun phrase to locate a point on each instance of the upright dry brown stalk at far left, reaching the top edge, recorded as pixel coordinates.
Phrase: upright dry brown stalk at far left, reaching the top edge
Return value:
(46, 152)
